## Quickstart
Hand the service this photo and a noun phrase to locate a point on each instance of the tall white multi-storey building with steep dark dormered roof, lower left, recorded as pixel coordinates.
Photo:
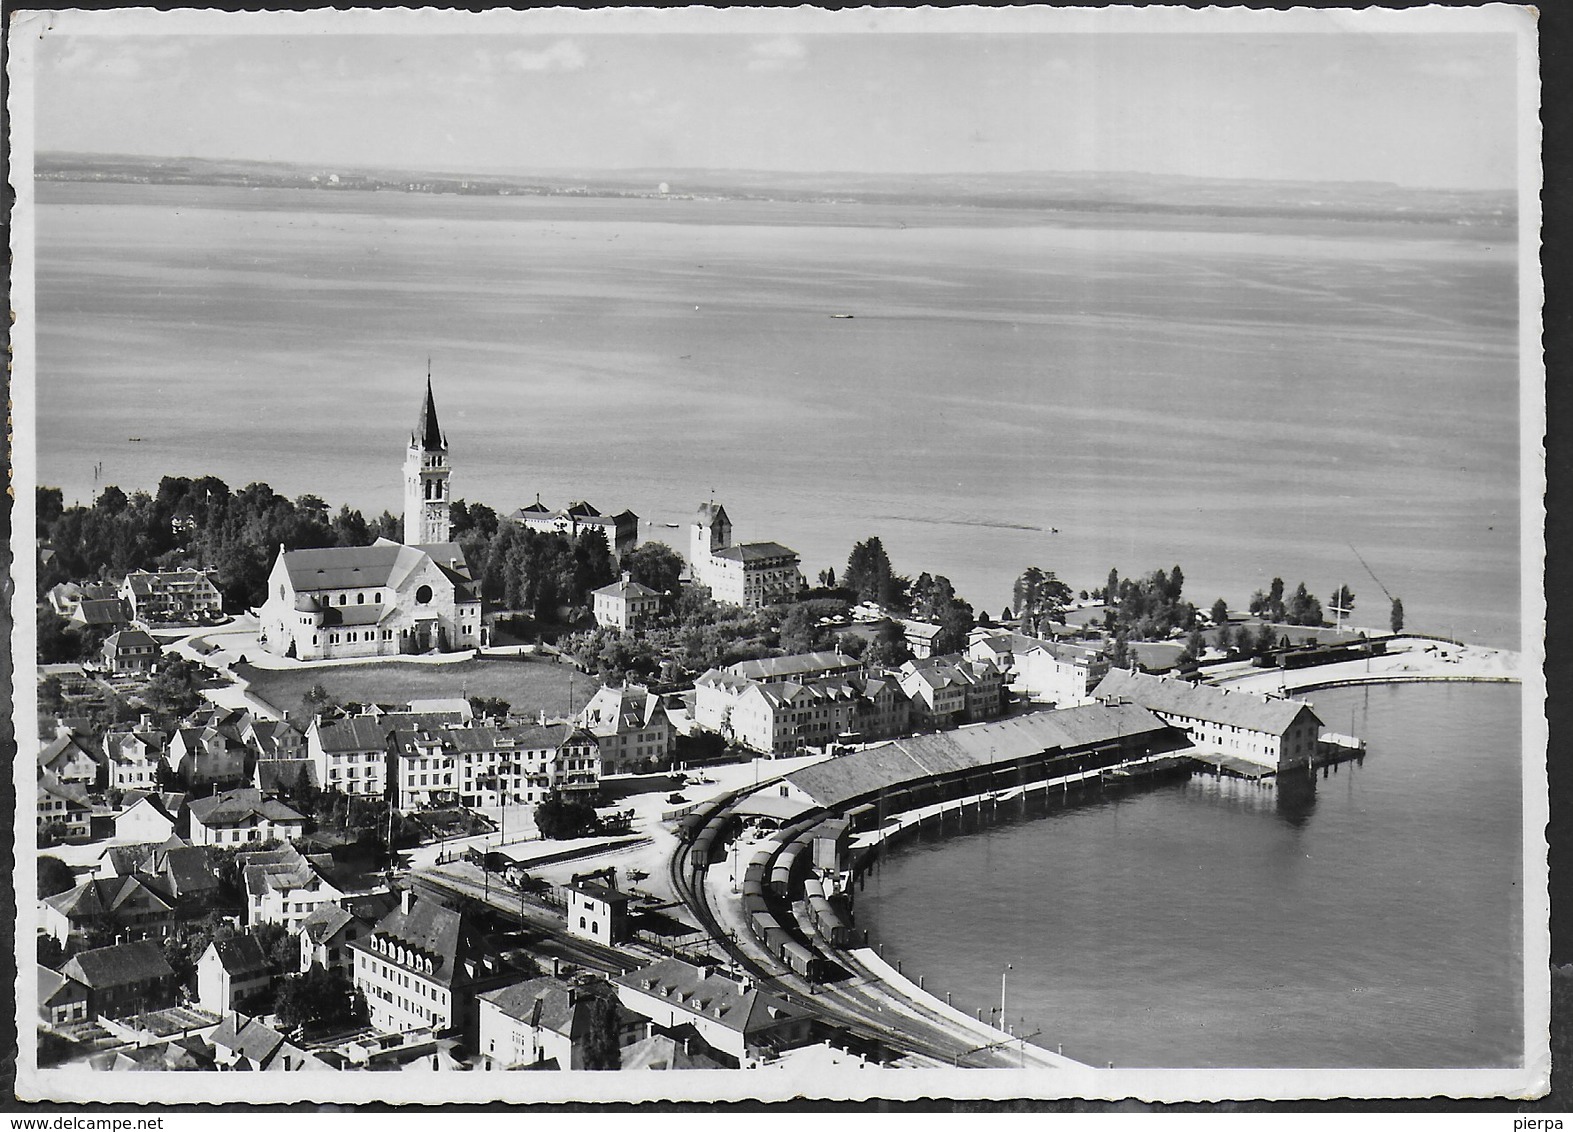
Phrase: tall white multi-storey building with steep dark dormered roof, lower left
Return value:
(422, 968)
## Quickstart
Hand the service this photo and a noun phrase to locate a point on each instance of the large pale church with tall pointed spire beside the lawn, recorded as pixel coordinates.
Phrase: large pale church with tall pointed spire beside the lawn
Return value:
(383, 600)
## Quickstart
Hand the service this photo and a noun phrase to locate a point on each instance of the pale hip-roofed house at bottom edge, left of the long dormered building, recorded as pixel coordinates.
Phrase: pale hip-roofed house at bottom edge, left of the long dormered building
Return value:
(550, 1023)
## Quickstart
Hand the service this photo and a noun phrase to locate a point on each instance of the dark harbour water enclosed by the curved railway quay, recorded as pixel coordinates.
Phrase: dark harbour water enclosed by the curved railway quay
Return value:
(1376, 922)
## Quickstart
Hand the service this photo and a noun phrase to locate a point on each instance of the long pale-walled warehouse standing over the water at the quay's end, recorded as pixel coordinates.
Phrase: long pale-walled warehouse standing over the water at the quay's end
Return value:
(1269, 732)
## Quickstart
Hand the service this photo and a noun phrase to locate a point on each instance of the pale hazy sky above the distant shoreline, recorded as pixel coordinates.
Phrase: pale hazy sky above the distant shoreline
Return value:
(1415, 109)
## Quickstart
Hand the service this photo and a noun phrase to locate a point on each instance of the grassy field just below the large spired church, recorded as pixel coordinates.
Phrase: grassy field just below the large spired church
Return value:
(528, 685)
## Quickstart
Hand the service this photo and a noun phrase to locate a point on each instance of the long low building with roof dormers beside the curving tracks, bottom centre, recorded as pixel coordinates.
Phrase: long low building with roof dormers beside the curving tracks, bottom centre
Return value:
(729, 1015)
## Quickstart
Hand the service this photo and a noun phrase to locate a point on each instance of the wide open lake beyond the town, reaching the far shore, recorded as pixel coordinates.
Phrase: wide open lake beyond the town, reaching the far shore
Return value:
(1240, 402)
